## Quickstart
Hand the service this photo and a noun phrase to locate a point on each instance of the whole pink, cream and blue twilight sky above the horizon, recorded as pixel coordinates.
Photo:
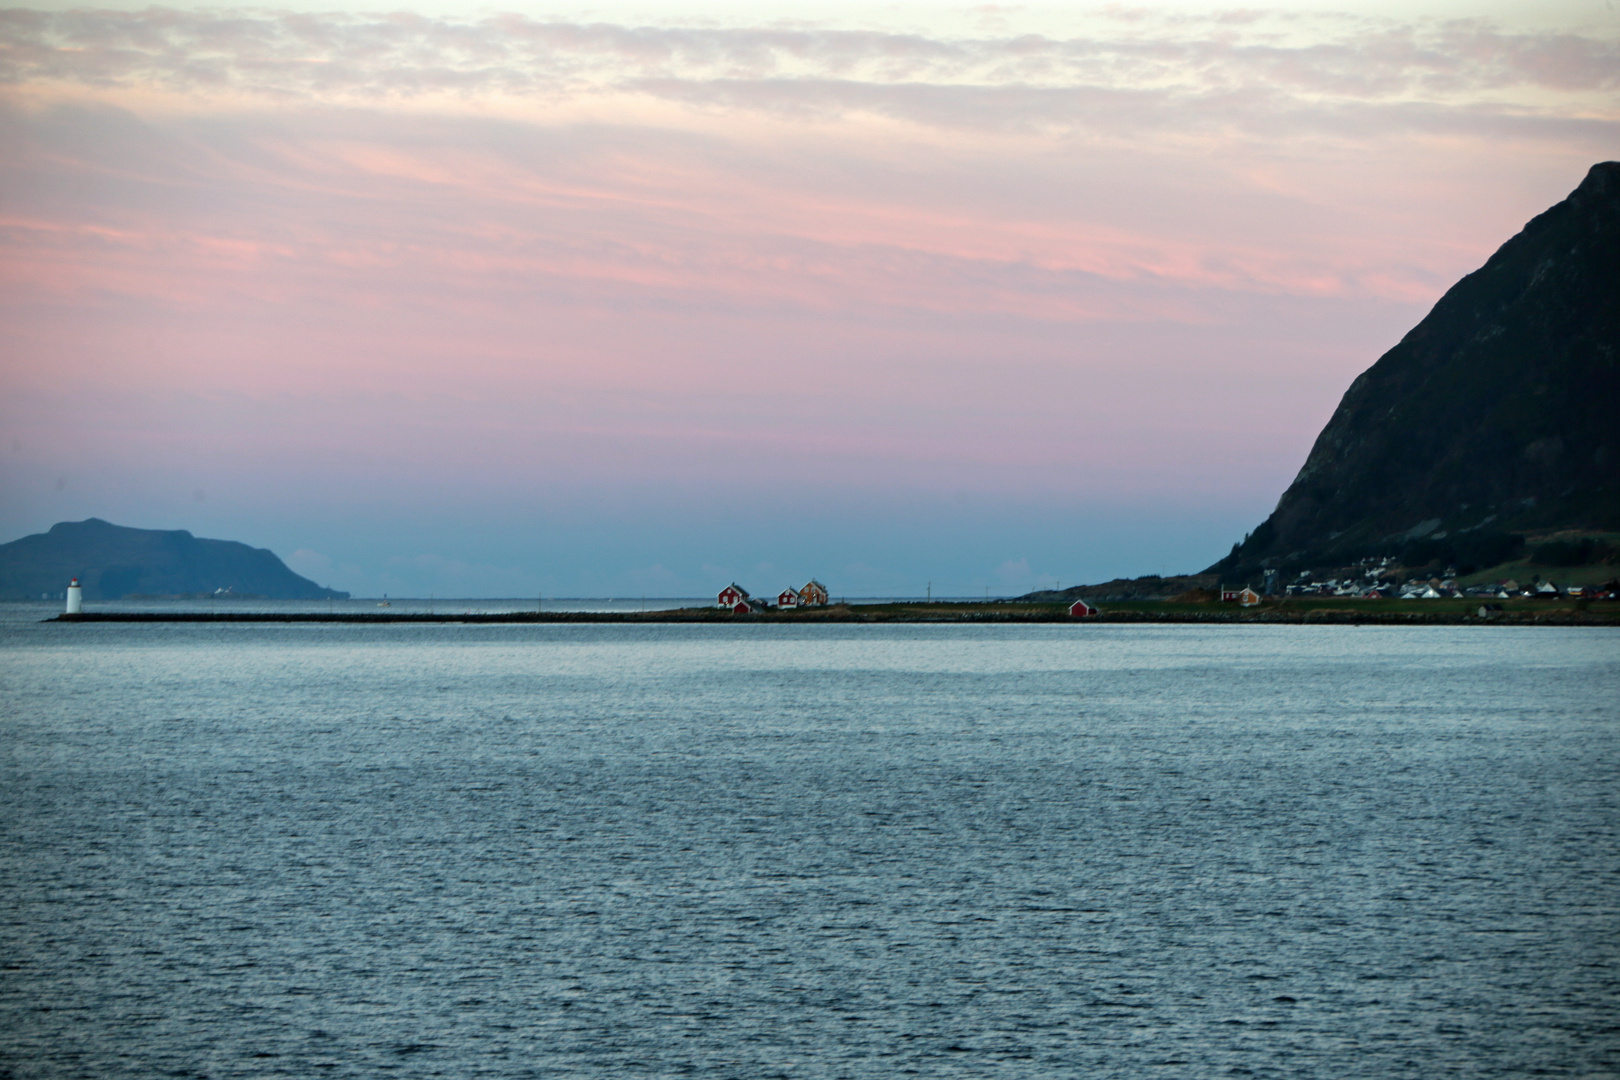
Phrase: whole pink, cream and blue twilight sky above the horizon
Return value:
(637, 300)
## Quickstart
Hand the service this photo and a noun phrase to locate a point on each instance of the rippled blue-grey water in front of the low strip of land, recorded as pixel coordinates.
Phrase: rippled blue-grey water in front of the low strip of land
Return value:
(809, 853)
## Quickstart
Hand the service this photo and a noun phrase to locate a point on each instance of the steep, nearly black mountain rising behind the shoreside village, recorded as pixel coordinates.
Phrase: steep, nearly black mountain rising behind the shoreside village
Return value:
(1496, 417)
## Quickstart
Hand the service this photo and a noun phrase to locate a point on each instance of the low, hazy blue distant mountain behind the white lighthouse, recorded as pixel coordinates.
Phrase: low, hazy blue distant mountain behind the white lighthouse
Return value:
(113, 561)
